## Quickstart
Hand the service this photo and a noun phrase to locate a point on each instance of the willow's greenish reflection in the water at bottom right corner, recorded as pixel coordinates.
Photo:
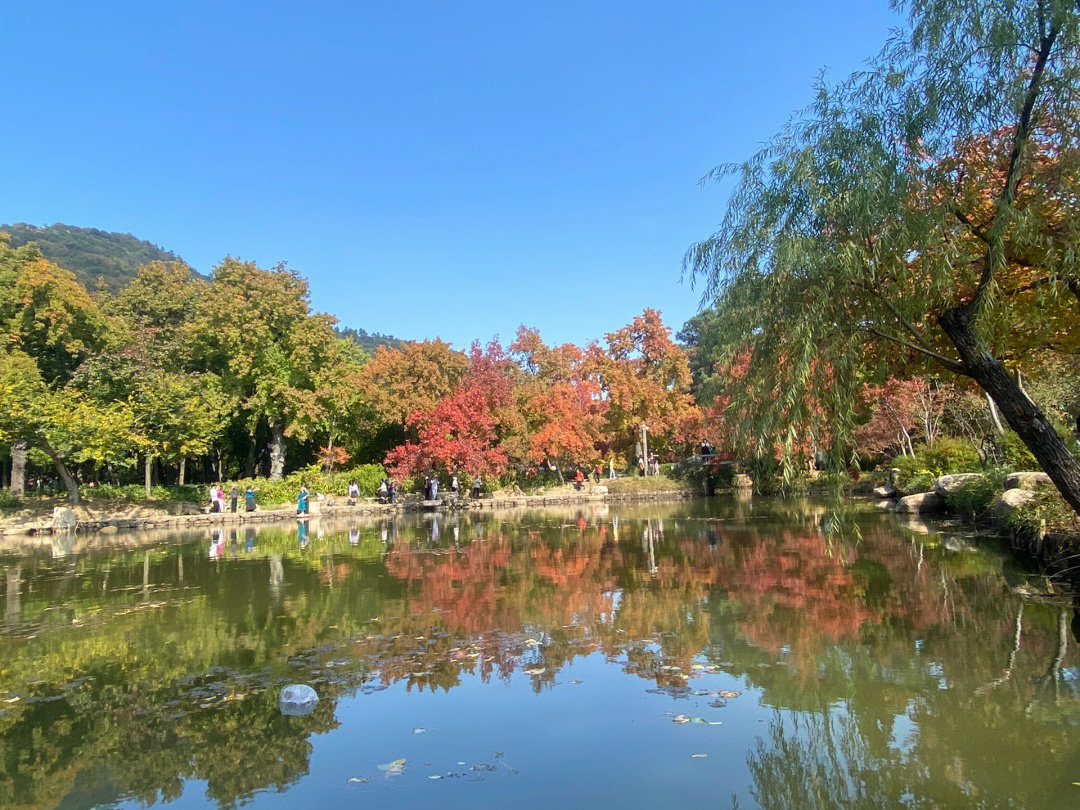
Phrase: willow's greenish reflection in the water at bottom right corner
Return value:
(965, 747)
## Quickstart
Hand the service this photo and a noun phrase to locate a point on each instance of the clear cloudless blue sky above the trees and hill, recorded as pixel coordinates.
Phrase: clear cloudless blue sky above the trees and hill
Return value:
(442, 169)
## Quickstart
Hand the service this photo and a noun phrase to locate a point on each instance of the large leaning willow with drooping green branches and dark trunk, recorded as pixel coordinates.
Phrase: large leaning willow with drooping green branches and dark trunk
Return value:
(925, 209)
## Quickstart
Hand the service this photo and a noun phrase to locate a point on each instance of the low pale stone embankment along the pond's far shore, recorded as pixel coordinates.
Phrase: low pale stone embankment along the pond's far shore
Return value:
(188, 517)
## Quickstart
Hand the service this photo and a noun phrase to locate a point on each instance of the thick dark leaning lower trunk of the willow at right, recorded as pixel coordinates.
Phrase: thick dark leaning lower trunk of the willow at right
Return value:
(1023, 415)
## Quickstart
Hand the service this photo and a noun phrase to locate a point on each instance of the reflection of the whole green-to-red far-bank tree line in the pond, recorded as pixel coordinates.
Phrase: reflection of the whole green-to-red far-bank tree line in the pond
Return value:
(396, 603)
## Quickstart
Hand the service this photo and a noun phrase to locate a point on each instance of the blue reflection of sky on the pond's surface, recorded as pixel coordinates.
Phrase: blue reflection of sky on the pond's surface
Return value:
(603, 742)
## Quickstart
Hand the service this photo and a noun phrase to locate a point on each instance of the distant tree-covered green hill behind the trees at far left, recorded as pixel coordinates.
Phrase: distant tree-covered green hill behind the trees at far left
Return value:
(89, 253)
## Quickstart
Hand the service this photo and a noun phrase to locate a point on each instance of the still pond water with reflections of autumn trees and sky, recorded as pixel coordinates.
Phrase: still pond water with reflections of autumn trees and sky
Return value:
(714, 654)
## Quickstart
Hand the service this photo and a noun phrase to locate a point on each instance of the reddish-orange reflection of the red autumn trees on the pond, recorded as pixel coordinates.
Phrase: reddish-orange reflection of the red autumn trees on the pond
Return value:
(794, 591)
